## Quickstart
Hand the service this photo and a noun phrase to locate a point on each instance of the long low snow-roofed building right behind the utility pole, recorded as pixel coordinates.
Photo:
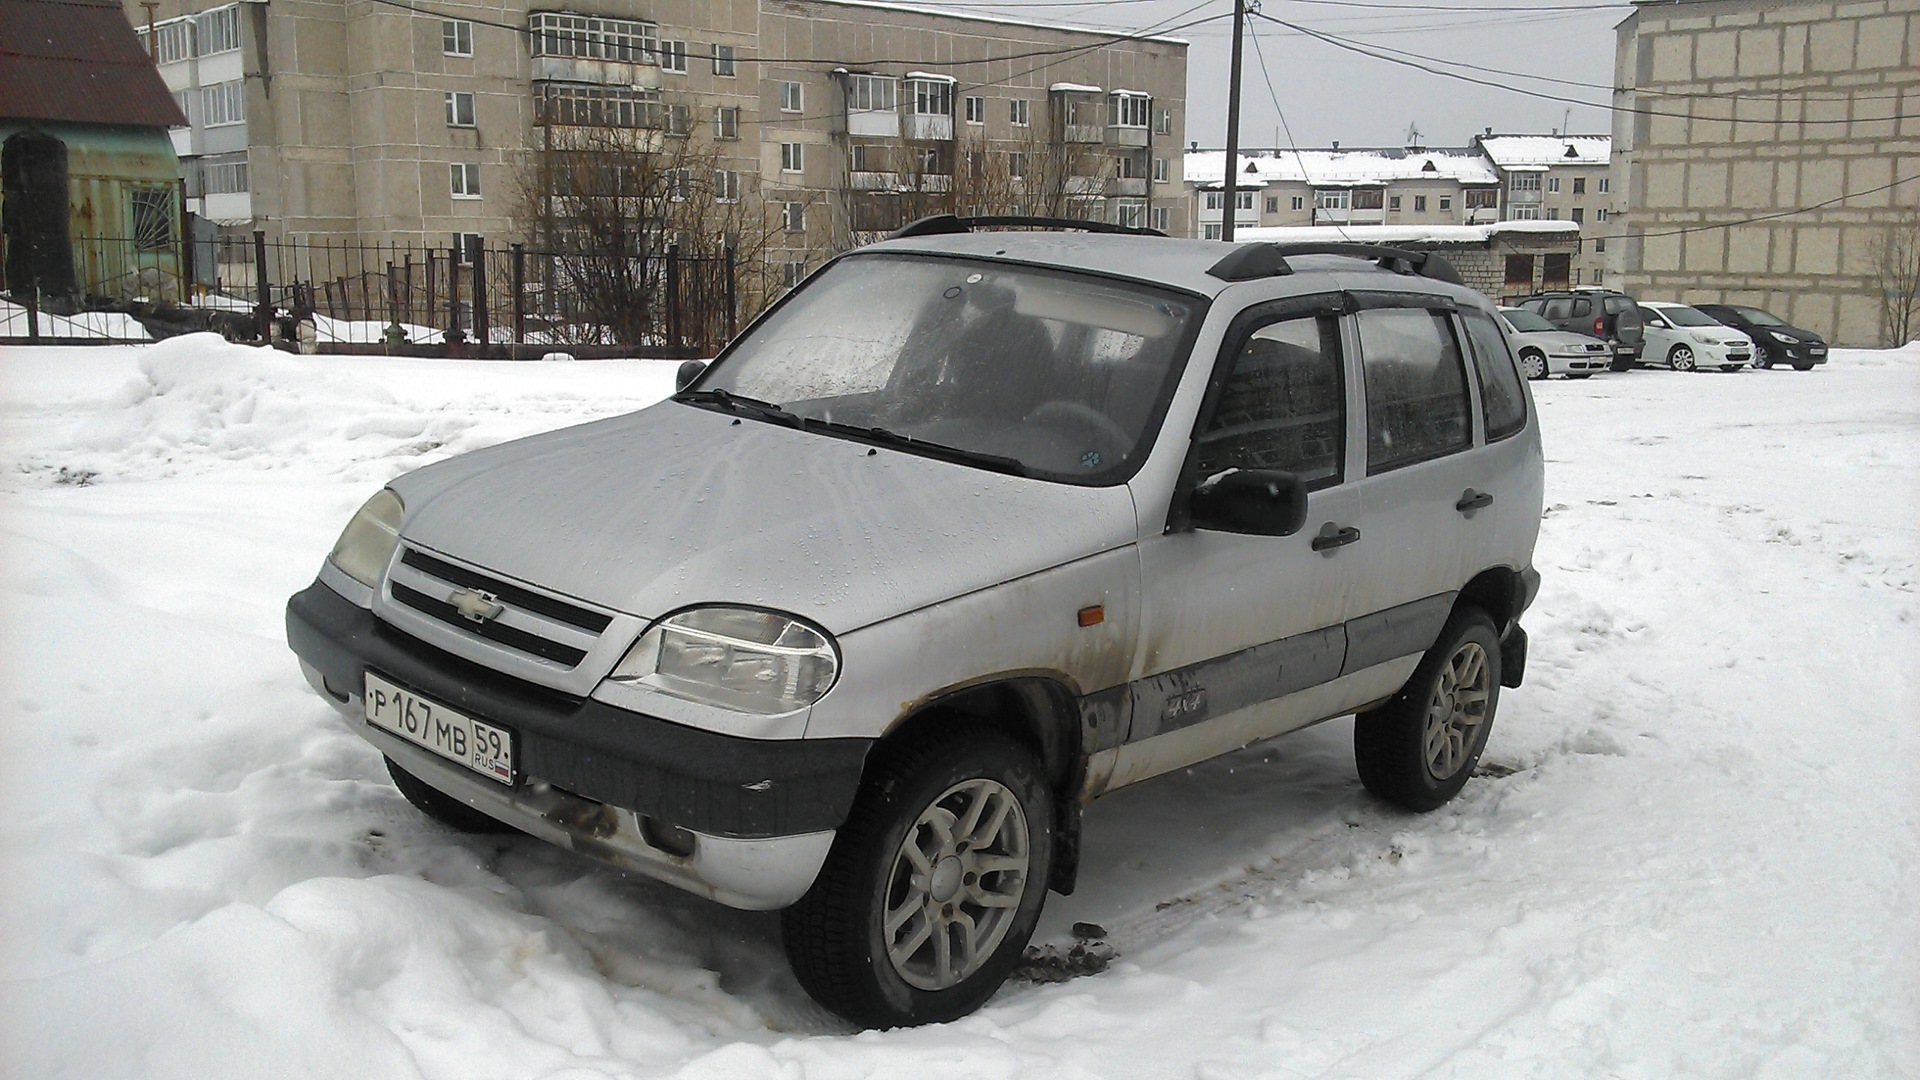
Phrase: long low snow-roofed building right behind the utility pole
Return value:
(1345, 187)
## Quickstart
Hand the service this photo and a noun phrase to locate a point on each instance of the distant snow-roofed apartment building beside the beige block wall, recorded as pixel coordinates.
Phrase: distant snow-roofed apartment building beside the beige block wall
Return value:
(1560, 178)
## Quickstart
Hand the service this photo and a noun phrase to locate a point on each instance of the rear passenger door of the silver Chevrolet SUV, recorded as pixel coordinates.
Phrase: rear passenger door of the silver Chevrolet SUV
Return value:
(1424, 489)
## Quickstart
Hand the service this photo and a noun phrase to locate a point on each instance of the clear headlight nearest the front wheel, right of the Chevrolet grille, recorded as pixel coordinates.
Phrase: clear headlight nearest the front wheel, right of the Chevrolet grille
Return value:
(734, 658)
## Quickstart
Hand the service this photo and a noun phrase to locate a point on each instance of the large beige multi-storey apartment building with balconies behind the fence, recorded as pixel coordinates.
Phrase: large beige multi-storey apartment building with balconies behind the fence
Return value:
(825, 122)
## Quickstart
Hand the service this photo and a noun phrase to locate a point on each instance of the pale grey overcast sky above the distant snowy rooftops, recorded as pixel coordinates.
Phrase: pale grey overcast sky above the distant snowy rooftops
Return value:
(1332, 95)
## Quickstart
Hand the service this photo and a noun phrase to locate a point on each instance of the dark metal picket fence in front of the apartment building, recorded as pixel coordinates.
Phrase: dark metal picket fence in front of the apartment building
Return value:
(473, 299)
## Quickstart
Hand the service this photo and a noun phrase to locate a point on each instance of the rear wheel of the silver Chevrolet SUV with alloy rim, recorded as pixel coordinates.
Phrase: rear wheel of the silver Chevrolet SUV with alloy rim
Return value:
(1420, 749)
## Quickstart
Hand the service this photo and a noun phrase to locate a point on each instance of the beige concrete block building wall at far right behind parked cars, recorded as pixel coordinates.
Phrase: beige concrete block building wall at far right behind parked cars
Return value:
(1767, 149)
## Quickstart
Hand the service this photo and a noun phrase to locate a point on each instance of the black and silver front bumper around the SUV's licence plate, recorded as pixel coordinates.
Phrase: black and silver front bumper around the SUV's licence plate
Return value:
(598, 779)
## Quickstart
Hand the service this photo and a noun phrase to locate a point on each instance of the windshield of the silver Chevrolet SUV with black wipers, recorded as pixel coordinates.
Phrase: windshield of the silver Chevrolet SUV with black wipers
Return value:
(1020, 370)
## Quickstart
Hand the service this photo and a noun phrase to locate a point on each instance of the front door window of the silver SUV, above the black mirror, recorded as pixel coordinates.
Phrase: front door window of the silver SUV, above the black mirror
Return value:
(1282, 405)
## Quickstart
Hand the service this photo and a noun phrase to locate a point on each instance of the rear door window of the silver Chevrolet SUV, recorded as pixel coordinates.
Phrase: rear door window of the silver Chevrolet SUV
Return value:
(1416, 387)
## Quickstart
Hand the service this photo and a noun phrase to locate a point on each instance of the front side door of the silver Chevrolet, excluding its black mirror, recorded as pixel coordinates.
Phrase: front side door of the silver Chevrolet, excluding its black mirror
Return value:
(1241, 633)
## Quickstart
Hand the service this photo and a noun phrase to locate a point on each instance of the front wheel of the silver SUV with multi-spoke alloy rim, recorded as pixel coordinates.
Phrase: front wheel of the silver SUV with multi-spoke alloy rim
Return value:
(934, 883)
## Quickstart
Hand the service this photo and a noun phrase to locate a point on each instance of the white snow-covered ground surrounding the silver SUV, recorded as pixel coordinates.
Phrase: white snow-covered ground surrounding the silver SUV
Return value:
(1692, 850)
